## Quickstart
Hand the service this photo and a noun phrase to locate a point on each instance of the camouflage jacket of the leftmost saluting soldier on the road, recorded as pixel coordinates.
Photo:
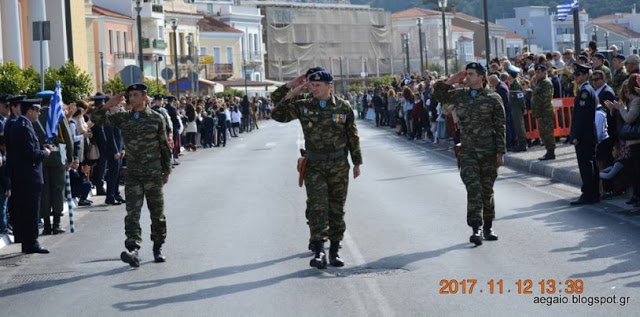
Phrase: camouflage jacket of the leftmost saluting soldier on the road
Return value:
(144, 138)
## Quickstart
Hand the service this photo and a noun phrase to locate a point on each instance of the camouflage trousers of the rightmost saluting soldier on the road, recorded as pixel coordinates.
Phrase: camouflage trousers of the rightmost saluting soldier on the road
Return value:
(479, 172)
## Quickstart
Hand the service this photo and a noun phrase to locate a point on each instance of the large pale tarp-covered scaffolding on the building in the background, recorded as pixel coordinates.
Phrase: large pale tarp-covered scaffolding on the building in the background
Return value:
(352, 41)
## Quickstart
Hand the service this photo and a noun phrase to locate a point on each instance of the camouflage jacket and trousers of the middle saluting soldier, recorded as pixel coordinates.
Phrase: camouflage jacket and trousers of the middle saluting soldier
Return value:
(330, 132)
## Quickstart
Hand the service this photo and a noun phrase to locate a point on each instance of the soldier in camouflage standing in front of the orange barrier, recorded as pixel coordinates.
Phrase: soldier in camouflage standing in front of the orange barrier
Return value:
(543, 111)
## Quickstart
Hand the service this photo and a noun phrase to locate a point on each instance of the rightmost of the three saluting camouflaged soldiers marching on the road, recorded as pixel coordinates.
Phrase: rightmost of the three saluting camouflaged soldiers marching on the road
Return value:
(481, 118)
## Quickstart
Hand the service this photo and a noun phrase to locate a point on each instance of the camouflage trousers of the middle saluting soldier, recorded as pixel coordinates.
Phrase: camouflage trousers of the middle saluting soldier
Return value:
(326, 183)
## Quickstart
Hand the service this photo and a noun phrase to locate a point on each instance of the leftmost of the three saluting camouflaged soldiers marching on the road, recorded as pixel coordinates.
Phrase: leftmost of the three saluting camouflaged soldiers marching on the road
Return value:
(148, 168)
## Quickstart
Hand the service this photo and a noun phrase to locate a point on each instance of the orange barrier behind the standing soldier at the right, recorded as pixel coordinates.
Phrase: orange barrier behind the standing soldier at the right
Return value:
(563, 108)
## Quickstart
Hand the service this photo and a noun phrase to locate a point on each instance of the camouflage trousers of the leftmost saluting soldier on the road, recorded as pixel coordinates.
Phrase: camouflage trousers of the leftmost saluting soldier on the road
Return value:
(138, 186)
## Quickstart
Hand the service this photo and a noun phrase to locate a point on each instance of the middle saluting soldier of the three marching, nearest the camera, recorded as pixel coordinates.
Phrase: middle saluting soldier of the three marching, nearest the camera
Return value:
(330, 133)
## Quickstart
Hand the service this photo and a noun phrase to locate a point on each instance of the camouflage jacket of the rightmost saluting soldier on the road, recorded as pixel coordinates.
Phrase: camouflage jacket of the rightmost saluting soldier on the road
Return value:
(481, 119)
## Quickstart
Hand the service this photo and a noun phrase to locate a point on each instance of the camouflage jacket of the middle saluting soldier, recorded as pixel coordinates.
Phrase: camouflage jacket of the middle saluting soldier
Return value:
(325, 130)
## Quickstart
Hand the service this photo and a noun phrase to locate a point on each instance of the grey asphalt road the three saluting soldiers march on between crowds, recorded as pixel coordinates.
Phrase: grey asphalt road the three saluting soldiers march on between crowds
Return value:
(237, 245)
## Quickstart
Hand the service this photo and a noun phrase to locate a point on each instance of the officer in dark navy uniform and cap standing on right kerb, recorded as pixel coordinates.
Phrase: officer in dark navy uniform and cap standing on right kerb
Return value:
(583, 135)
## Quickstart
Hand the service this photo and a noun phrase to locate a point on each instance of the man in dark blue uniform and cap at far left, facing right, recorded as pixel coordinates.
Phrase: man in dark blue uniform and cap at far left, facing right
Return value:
(26, 157)
